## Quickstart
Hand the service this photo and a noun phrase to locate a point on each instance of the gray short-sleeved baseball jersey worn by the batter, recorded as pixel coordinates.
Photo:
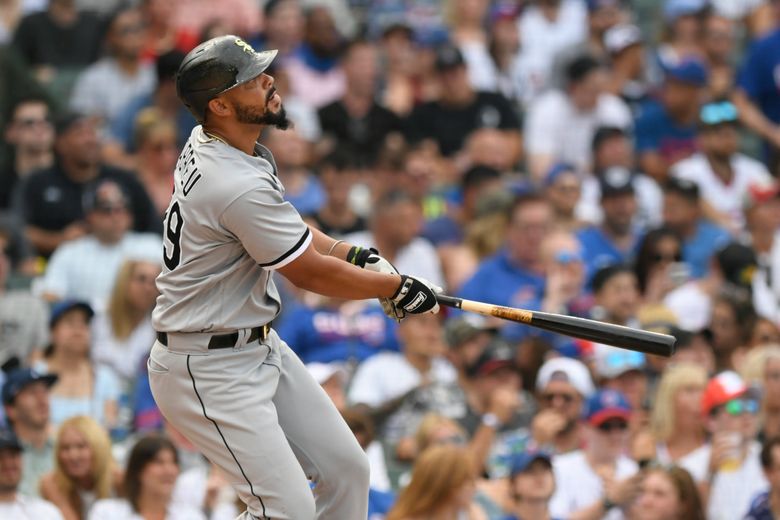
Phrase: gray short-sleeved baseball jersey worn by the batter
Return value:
(226, 229)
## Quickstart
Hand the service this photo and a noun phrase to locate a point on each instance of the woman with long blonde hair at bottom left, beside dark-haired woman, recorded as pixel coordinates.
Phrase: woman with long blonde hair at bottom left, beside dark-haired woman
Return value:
(84, 470)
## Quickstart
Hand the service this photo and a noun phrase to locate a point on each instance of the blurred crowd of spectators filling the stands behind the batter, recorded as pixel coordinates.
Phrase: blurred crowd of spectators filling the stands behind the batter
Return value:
(609, 159)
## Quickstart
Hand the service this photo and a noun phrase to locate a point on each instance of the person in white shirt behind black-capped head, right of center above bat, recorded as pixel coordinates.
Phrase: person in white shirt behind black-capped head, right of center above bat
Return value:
(612, 147)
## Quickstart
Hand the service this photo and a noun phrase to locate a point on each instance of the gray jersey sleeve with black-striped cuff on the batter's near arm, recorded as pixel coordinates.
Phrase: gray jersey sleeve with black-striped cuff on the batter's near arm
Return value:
(270, 228)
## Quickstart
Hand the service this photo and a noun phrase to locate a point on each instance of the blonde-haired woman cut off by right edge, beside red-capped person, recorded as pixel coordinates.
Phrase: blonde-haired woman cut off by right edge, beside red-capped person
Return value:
(761, 369)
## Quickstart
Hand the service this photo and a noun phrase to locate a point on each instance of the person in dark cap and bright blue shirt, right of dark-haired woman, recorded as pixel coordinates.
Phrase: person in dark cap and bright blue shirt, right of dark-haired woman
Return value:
(683, 214)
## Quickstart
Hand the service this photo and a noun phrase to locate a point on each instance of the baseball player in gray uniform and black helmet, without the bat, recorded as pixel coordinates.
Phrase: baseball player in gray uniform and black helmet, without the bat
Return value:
(218, 371)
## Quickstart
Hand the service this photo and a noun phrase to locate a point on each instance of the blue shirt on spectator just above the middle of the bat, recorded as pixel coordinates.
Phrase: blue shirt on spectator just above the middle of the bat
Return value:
(499, 281)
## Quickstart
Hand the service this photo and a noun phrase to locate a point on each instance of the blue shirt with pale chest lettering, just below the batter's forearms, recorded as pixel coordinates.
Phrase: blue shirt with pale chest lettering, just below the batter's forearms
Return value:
(326, 335)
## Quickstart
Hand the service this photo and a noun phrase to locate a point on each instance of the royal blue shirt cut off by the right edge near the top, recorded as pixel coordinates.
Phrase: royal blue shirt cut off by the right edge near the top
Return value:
(760, 75)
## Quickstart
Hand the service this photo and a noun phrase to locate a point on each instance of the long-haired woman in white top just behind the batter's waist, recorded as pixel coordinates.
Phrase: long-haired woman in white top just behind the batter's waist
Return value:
(123, 333)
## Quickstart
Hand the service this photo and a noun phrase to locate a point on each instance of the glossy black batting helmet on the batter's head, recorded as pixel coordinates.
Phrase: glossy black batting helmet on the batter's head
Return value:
(215, 66)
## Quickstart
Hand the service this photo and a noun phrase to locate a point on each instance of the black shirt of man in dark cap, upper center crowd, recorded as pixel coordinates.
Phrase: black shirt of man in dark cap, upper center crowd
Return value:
(450, 126)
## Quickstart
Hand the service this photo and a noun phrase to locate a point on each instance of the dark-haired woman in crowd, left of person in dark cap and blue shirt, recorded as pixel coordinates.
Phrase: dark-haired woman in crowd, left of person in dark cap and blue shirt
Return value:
(659, 267)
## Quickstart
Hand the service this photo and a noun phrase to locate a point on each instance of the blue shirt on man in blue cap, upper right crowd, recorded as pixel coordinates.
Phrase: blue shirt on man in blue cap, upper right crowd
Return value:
(656, 131)
